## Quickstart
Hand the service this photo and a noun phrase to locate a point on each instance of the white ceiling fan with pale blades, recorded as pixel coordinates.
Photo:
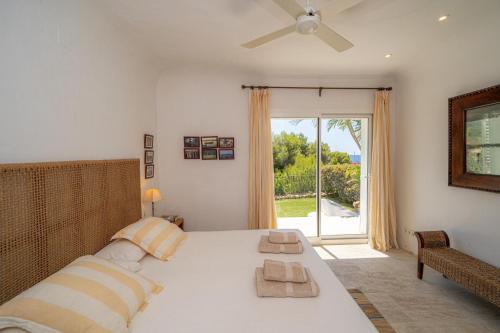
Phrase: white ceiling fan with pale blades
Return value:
(309, 23)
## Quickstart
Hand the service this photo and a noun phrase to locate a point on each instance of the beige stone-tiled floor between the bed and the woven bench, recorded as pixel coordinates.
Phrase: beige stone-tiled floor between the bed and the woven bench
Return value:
(410, 305)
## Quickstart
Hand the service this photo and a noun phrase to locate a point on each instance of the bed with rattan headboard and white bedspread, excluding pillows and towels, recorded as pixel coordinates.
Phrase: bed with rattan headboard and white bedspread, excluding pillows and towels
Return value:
(52, 213)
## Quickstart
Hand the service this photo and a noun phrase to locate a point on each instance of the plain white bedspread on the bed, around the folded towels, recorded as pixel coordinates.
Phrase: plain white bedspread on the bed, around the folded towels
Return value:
(210, 287)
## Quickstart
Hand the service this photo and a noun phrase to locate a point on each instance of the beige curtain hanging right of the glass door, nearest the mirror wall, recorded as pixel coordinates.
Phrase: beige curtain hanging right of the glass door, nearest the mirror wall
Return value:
(382, 205)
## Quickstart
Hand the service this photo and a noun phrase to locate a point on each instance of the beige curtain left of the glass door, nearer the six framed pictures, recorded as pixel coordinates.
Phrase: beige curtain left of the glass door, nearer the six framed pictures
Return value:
(261, 209)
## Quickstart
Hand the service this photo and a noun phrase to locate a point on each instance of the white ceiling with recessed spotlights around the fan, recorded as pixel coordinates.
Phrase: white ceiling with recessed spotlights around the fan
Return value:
(210, 32)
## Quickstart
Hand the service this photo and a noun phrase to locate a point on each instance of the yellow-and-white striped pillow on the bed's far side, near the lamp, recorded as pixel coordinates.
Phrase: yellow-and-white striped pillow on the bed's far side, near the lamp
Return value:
(156, 236)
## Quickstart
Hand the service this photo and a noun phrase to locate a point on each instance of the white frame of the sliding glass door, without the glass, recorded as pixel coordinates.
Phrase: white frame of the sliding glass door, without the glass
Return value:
(318, 120)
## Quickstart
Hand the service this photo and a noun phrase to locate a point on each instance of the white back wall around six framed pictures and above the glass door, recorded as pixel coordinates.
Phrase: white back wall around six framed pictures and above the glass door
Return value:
(212, 195)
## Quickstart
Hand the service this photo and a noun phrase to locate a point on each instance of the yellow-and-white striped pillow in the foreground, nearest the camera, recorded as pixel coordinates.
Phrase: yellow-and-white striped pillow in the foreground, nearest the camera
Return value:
(88, 295)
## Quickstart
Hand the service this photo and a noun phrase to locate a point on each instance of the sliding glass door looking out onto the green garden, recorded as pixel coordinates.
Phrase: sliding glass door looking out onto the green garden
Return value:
(321, 164)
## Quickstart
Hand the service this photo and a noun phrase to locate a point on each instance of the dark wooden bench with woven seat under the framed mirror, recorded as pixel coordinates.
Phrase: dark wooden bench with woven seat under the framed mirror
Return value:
(479, 277)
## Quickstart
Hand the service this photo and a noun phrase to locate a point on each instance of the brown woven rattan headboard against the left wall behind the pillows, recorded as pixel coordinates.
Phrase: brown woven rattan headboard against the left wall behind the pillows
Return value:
(52, 213)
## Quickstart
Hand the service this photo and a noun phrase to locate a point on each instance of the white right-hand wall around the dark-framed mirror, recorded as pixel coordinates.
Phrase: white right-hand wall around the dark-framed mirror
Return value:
(466, 62)
